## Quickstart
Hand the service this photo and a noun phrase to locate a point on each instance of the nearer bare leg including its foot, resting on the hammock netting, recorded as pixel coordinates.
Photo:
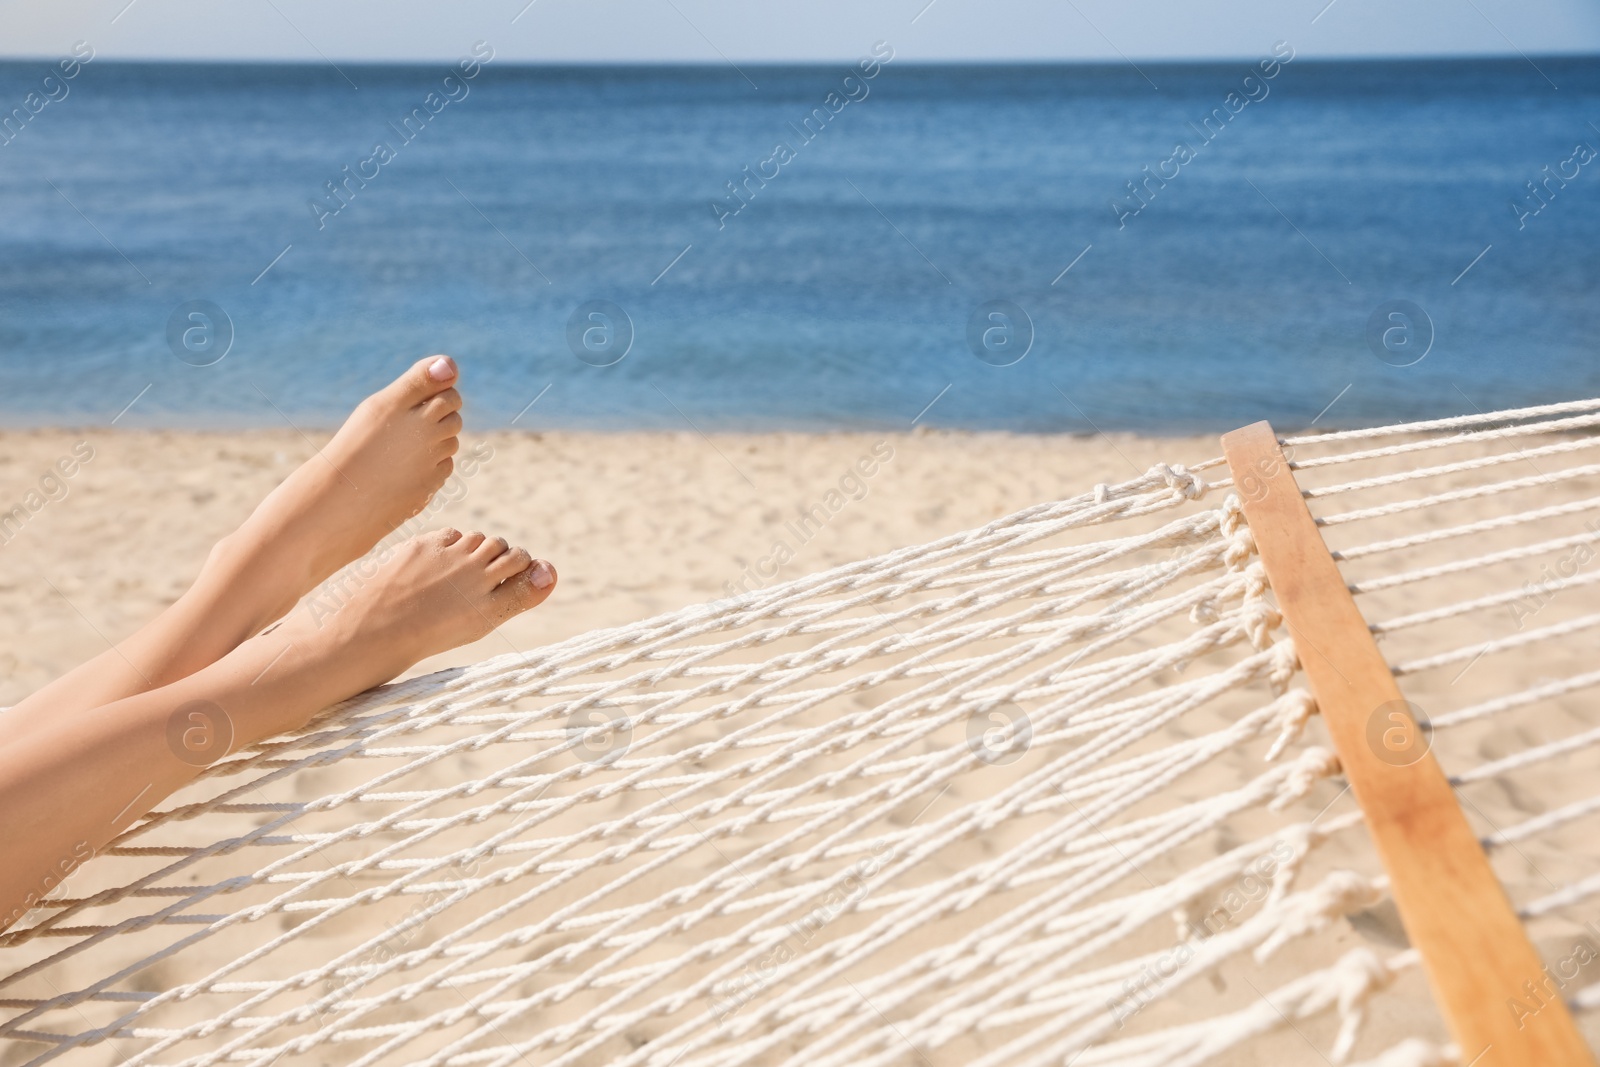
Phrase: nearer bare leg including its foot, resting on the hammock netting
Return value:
(74, 783)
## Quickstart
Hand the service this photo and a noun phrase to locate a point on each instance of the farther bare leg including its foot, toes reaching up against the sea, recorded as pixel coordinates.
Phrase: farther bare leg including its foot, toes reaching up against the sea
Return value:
(380, 470)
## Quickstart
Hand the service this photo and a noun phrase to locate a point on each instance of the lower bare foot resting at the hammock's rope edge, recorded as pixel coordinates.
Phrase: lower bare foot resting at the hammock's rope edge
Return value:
(433, 593)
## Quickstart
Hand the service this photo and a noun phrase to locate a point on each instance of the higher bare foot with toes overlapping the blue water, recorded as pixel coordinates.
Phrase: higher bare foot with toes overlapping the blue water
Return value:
(380, 470)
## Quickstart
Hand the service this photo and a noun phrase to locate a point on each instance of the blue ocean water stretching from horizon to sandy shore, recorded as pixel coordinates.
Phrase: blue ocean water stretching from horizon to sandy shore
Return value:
(1162, 249)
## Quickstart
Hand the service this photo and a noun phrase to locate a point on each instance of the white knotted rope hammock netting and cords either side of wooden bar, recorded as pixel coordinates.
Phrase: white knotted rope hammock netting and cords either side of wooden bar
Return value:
(940, 807)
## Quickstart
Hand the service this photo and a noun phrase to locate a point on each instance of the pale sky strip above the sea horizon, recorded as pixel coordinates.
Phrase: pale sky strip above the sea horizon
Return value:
(777, 31)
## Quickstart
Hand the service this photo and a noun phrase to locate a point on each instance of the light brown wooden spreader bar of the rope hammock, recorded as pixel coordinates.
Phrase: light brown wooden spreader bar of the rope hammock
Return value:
(1455, 913)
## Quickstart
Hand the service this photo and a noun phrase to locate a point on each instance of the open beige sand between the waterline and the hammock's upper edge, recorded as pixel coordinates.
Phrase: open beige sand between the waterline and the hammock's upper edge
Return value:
(636, 524)
